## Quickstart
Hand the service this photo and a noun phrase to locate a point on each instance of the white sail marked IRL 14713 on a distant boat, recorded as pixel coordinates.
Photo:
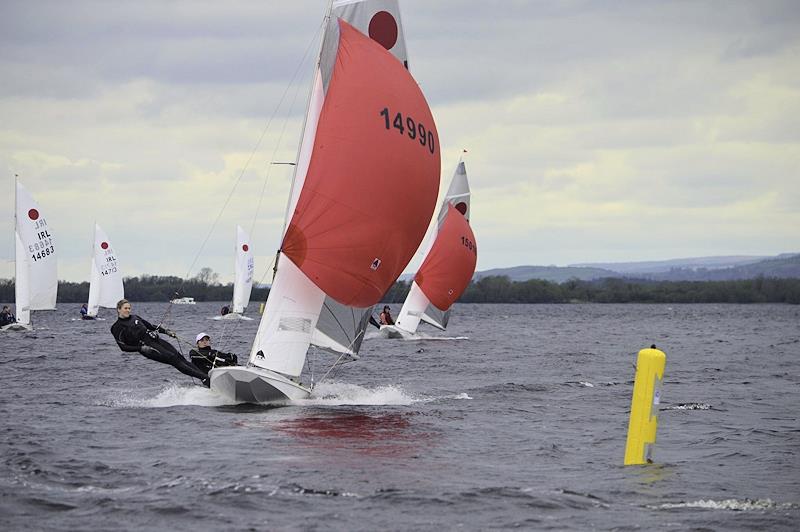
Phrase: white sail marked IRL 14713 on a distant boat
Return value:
(105, 285)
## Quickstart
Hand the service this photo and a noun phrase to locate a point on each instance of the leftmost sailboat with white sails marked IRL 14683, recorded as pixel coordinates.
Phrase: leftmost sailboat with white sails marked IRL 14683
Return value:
(36, 275)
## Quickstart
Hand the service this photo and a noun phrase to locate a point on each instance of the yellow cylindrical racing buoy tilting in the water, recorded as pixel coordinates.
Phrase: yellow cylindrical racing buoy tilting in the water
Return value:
(644, 406)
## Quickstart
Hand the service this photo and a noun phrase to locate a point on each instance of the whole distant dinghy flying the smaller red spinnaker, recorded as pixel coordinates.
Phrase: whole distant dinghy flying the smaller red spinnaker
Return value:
(448, 265)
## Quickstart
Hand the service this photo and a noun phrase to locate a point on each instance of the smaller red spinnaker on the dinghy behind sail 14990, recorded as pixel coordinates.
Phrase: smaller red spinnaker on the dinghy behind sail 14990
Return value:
(449, 266)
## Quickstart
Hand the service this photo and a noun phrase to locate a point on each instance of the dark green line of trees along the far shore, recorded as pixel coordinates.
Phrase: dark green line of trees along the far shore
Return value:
(493, 289)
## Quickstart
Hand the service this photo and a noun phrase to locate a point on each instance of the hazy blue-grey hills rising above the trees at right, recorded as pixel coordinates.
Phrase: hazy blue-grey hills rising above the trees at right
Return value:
(786, 265)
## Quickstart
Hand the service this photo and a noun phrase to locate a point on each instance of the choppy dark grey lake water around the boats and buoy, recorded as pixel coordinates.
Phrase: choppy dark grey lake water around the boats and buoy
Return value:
(521, 425)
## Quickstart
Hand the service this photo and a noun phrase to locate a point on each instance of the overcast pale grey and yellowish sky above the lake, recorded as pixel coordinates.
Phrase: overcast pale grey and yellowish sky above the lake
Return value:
(596, 131)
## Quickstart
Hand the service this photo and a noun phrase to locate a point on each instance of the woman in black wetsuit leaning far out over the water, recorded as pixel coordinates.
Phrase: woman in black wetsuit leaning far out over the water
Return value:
(135, 334)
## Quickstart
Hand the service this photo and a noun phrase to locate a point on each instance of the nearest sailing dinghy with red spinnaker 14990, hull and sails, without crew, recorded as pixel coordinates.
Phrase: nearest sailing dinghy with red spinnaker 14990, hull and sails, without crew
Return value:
(369, 152)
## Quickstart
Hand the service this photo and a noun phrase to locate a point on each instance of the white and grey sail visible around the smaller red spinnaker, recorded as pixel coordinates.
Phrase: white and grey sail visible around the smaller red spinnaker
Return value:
(417, 306)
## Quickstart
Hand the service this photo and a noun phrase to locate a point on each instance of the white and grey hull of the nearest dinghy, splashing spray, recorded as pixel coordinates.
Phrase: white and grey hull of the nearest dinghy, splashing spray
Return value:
(255, 385)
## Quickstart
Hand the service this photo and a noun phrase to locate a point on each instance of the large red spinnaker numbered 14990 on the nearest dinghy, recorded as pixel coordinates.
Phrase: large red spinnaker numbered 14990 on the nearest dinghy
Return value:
(372, 183)
